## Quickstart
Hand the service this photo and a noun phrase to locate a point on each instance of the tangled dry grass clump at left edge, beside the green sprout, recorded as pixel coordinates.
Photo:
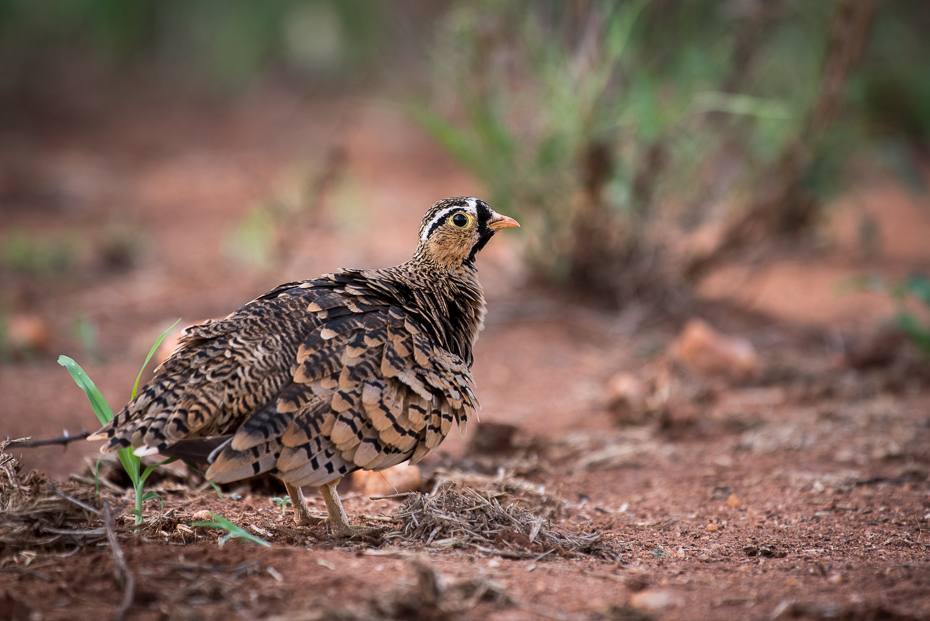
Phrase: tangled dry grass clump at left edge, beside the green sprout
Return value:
(35, 512)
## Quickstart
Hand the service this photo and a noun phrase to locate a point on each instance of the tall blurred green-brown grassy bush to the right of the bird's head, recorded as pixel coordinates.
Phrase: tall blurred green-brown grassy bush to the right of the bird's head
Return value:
(616, 128)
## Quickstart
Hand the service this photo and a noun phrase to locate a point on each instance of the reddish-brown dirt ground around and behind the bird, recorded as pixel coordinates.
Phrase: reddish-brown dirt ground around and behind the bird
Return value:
(802, 492)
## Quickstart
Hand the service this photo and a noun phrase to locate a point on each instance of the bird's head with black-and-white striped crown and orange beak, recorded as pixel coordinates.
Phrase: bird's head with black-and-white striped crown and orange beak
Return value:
(455, 229)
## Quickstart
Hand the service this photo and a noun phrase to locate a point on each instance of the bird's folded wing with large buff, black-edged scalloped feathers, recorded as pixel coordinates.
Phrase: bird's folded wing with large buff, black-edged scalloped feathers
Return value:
(369, 390)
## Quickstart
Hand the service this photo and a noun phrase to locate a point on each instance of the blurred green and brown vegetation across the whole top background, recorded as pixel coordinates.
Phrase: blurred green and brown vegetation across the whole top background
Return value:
(617, 131)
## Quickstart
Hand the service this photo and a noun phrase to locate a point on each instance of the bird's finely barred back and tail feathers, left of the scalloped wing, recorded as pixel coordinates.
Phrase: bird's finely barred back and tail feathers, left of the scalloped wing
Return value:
(222, 372)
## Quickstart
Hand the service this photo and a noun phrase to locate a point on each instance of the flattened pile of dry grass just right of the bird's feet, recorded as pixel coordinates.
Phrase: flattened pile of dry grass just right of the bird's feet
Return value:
(457, 516)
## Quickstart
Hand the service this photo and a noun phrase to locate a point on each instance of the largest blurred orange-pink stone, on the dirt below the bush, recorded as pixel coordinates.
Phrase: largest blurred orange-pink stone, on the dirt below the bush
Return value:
(710, 353)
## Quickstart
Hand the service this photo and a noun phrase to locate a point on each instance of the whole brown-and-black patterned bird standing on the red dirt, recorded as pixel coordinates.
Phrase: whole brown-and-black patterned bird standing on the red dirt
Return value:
(357, 369)
